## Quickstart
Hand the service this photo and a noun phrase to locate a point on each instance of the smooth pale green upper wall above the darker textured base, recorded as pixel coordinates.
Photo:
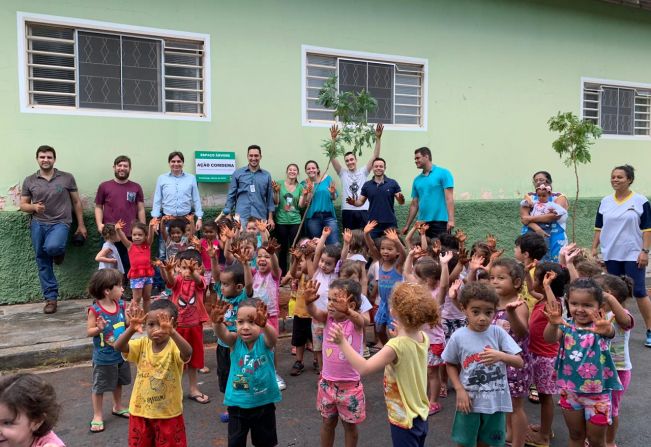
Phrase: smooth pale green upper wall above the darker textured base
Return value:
(498, 69)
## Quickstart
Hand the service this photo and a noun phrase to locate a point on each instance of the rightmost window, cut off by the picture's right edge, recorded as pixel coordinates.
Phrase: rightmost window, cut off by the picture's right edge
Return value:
(619, 108)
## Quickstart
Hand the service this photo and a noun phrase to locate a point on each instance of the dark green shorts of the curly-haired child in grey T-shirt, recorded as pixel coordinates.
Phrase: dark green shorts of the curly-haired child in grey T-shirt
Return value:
(488, 428)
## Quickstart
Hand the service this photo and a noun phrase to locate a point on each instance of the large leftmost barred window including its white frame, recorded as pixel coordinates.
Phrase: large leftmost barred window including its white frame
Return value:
(77, 66)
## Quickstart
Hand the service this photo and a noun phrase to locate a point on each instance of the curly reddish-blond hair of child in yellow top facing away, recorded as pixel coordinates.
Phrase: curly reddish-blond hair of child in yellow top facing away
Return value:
(414, 306)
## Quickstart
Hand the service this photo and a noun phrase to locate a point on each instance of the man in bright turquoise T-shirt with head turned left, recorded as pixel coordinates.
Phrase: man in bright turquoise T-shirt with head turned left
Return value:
(432, 196)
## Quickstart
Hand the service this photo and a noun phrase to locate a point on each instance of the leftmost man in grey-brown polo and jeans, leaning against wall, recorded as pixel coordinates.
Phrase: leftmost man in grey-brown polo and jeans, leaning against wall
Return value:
(50, 196)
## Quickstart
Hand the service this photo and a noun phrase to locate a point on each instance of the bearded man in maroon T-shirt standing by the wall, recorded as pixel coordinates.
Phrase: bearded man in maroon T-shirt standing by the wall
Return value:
(120, 199)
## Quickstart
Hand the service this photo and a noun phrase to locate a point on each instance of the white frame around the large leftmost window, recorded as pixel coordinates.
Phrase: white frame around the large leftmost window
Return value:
(23, 18)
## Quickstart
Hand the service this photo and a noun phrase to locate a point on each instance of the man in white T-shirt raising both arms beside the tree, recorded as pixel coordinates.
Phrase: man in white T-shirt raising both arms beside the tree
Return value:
(352, 180)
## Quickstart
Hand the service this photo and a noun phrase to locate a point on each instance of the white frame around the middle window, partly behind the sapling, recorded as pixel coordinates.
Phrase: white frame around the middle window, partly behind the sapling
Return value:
(366, 57)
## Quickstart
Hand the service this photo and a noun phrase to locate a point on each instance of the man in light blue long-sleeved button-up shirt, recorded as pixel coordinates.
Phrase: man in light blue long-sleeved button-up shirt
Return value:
(177, 193)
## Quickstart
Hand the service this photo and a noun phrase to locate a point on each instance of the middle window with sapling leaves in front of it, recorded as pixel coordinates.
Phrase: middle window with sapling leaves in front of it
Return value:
(397, 83)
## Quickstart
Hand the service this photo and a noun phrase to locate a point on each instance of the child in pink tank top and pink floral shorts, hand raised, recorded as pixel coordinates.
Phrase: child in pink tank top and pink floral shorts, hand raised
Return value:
(340, 394)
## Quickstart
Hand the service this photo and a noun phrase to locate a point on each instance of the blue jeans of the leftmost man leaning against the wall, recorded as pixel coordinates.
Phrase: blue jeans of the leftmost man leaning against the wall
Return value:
(49, 240)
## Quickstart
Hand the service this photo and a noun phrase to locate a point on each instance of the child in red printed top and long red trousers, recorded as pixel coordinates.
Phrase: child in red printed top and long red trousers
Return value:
(188, 288)
